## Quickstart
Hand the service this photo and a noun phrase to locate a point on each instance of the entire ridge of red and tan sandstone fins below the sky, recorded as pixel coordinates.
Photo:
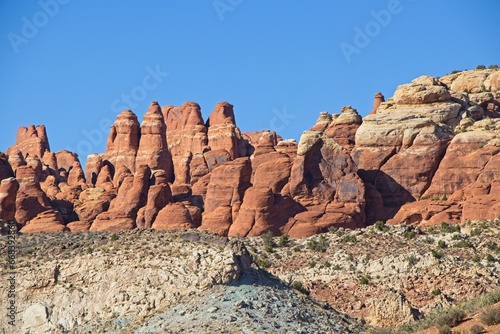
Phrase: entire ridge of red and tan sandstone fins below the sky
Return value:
(428, 154)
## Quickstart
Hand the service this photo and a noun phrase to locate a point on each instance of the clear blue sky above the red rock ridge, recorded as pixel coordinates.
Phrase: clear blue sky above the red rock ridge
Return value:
(280, 63)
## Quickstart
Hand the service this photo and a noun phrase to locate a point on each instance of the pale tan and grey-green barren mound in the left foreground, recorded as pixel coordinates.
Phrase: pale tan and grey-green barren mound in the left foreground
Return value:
(157, 282)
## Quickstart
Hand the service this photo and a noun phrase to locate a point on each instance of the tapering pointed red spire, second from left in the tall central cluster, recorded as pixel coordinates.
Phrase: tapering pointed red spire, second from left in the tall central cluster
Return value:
(153, 149)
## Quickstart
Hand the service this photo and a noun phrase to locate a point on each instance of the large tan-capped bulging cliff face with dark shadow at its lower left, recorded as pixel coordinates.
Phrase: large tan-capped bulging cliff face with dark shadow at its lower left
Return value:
(399, 133)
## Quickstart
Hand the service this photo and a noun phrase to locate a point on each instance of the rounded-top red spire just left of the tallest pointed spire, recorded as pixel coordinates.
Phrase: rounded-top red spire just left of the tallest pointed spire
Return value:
(123, 141)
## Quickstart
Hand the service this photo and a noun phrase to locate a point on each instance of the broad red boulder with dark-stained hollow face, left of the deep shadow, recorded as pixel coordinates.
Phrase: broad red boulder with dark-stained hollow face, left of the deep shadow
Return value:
(324, 181)
